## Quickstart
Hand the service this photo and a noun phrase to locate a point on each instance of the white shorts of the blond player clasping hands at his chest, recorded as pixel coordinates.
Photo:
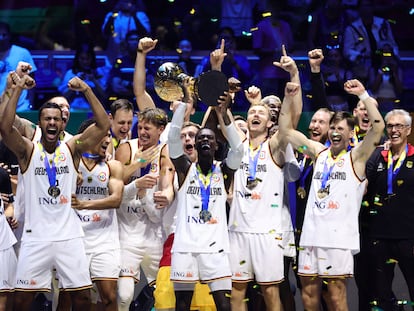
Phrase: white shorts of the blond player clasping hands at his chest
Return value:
(148, 258)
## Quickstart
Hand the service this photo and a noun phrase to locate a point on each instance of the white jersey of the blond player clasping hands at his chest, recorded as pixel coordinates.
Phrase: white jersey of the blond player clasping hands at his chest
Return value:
(139, 220)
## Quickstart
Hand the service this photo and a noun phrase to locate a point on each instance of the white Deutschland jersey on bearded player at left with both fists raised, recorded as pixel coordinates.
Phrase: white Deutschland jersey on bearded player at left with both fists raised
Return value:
(48, 218)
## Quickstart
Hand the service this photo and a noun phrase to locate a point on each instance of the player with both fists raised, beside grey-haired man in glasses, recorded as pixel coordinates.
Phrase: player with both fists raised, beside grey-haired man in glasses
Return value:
(330, 228)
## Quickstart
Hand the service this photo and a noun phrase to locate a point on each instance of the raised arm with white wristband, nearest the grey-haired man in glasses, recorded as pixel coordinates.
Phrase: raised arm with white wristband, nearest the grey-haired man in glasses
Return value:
(363, 150)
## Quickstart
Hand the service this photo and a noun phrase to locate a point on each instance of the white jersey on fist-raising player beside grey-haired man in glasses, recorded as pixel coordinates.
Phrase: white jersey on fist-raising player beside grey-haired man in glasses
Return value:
(332, 221)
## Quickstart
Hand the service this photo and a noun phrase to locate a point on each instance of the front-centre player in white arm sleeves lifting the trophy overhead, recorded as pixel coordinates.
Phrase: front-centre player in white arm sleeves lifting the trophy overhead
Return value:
(201, 245)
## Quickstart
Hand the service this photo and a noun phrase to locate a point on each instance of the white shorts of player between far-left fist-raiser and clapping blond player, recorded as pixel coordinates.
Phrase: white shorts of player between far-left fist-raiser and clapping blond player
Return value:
(104, 265)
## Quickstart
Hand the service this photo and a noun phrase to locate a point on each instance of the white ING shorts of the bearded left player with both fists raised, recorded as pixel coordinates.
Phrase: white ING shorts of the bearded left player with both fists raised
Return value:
(37, 259)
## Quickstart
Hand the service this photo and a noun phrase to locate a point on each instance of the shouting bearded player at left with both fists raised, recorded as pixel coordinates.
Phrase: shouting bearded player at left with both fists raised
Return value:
(49, 173)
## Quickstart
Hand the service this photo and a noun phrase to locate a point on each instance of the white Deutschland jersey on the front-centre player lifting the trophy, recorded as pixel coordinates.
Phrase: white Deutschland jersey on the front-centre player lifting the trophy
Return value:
(193, 234)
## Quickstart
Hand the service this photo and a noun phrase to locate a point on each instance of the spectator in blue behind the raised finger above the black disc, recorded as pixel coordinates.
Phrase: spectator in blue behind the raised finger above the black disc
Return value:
(234, 65)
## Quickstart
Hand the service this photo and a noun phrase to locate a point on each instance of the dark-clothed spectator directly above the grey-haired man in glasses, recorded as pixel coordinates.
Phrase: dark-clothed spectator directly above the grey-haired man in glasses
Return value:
(387, 86)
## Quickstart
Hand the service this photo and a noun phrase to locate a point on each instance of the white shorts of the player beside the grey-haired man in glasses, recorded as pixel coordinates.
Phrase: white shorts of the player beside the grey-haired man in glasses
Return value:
(325, 262)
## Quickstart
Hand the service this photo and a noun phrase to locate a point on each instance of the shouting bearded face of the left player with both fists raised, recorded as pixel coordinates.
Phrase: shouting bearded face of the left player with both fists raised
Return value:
(51, 124)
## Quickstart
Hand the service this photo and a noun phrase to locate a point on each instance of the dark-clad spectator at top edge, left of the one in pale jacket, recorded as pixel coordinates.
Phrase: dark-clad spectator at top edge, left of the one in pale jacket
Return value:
(327, 26)
